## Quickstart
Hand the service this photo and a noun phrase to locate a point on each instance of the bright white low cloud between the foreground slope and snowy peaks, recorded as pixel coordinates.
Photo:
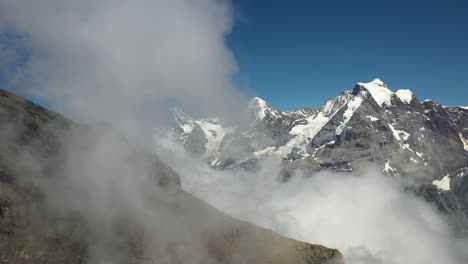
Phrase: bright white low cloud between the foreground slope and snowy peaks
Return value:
(368, 216)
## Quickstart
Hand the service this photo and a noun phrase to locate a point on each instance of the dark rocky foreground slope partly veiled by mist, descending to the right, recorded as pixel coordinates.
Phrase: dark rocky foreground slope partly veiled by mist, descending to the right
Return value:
(40, 223)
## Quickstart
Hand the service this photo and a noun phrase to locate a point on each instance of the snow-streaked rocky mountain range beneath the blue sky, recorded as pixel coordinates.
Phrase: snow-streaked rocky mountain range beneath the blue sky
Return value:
(422, 142)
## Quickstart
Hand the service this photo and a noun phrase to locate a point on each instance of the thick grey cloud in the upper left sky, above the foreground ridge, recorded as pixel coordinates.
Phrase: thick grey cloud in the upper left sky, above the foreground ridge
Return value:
(122, 61)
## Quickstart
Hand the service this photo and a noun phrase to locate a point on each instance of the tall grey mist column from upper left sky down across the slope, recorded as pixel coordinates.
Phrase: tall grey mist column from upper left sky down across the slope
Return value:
(114, 67)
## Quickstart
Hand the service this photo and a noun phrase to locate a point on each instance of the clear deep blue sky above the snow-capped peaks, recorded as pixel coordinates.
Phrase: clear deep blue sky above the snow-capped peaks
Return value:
(298, 53)
